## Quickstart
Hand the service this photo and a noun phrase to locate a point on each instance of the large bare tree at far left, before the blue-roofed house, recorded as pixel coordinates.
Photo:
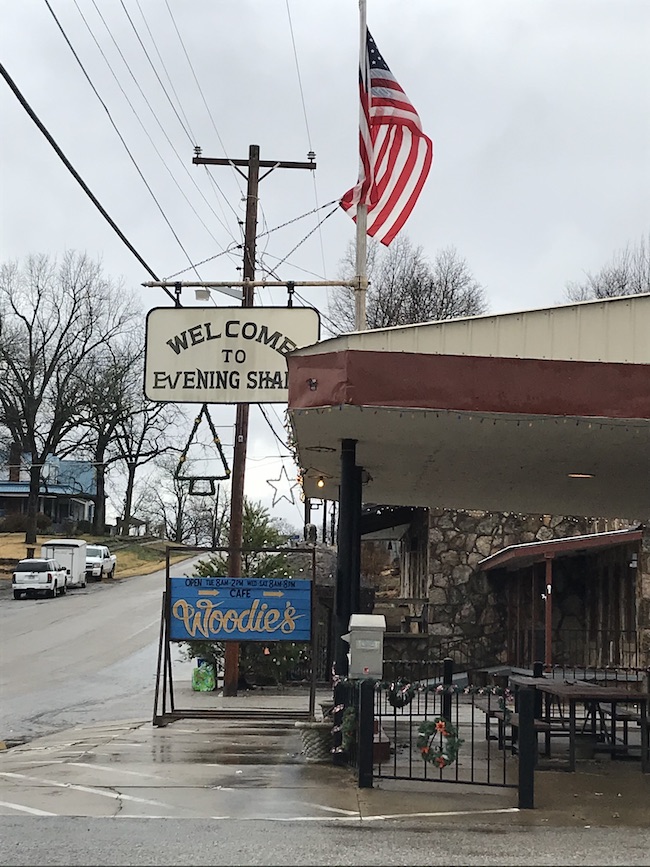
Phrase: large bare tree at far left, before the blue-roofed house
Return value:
(55, 316)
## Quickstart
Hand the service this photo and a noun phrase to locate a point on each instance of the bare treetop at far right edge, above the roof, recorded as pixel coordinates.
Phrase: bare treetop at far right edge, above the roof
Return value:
(628, 273)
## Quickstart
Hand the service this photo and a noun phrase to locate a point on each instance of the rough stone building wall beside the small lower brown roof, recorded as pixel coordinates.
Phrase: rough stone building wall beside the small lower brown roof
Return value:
(464, 607)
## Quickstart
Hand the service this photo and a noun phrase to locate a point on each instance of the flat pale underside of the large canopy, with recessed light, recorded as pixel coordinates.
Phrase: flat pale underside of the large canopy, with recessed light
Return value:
(514, 463)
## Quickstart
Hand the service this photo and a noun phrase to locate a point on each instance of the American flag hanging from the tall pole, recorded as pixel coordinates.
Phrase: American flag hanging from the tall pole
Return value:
(395, 155)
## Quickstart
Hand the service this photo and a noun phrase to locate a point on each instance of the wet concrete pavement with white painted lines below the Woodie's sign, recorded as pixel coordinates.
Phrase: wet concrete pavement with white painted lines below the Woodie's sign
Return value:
(254, 768)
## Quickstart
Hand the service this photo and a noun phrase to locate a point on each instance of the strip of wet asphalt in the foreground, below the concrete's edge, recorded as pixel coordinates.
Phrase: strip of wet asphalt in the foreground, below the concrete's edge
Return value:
(73, 842)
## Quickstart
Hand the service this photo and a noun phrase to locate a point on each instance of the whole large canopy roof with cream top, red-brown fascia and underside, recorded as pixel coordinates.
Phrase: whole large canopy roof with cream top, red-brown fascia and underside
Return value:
(539, 412)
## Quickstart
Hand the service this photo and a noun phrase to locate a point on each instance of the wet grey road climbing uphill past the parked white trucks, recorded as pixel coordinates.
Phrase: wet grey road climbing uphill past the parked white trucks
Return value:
(82, 658)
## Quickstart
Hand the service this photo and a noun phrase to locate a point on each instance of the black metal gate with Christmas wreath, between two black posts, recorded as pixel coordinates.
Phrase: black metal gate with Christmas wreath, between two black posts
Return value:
(423, 724)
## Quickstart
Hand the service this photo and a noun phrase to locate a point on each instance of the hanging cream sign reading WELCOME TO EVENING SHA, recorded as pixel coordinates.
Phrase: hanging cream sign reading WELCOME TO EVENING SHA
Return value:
(224, 354)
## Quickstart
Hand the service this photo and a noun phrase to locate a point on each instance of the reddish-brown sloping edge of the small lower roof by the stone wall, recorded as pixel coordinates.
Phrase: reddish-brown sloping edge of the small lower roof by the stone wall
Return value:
(519, 556)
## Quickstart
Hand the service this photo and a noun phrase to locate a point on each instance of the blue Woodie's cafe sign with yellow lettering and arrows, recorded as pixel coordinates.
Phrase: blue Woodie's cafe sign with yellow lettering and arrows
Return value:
(240, 609)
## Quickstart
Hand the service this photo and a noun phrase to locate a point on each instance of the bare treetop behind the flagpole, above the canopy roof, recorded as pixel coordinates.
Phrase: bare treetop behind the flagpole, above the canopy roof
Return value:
(405, 288)
